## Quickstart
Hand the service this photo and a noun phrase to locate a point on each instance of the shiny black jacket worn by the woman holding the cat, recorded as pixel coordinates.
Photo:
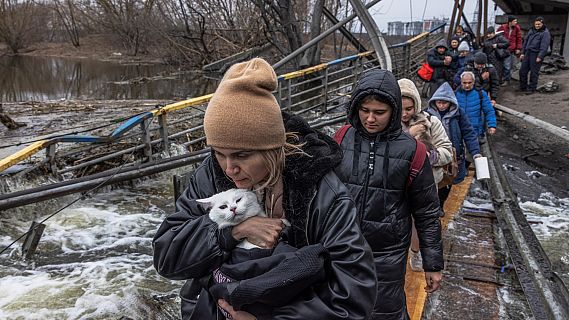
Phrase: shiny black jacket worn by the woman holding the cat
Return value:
(187, 245)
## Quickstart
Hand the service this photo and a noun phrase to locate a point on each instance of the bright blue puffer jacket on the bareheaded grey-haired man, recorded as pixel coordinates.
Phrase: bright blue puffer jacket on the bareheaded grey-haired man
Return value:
(476, 104)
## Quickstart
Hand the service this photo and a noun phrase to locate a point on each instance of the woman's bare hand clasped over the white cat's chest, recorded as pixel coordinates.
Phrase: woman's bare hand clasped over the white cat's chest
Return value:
(260, 231)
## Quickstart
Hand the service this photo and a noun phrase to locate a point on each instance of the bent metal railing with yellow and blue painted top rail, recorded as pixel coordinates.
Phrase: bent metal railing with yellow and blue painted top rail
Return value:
(312, 92)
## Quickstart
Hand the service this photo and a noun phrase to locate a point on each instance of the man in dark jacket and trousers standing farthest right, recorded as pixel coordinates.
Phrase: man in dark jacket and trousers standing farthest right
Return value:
(536, 47)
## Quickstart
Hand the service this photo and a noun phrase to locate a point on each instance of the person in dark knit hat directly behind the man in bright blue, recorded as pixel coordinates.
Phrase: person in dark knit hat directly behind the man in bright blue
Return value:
(485, 74)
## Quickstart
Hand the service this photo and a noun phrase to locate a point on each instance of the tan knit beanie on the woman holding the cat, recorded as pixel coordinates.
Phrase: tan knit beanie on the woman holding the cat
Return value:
(243, 113)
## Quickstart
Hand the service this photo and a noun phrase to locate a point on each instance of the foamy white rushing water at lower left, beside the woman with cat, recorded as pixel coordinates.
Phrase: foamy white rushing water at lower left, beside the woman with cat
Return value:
(94, 260)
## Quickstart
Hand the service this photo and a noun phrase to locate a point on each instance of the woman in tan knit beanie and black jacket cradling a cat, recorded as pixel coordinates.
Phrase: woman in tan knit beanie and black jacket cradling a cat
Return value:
(256, 146)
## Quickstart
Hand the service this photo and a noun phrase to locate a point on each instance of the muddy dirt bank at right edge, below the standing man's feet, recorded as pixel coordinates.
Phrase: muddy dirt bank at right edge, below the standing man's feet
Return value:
(525, 148)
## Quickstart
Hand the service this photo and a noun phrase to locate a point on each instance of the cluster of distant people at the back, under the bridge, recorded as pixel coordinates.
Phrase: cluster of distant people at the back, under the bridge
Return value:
(492, 59)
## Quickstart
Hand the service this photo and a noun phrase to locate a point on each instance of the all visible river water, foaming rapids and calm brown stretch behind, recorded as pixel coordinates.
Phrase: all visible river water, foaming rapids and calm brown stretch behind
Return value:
(94, 260)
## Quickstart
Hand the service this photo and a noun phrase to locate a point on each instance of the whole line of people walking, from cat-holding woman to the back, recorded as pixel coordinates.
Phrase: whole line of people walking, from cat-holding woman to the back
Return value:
(358, 206)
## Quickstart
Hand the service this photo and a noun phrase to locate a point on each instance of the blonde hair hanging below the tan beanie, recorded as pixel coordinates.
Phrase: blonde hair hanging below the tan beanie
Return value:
(274, 159)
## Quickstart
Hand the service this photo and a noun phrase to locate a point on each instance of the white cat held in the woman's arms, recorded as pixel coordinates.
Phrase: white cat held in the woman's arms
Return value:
(231, 207)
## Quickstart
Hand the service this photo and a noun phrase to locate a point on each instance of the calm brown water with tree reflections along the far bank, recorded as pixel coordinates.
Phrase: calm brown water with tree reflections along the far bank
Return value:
(46, 78)
